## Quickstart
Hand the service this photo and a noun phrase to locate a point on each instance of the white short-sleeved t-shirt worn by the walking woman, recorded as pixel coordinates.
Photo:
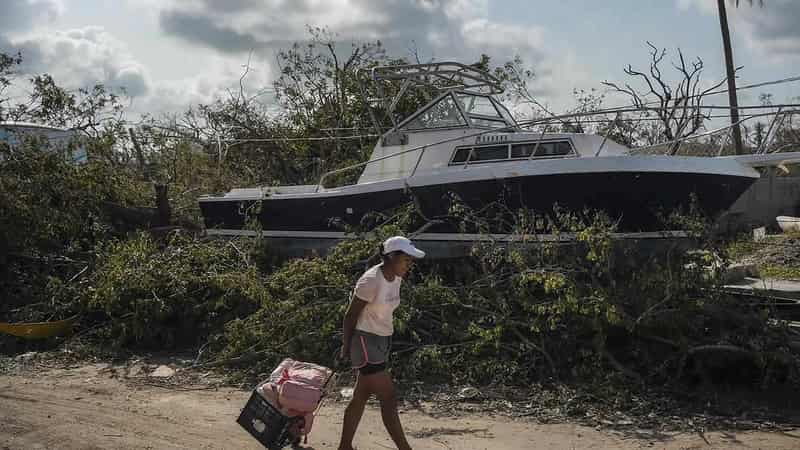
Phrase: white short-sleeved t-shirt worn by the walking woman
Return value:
(382, 298)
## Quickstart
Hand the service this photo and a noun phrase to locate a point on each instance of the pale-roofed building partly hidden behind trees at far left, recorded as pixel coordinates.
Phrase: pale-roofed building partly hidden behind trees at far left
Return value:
(15, 133)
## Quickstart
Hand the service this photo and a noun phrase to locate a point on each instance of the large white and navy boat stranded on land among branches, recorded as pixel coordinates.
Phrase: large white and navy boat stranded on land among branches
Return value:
(465, 144)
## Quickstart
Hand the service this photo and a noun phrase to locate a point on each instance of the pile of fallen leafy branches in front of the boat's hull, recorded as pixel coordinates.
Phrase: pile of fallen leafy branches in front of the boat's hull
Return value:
(530, 310)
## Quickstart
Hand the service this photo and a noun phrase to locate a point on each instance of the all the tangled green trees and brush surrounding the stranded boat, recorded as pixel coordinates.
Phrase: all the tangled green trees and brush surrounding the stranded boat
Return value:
(77, 240)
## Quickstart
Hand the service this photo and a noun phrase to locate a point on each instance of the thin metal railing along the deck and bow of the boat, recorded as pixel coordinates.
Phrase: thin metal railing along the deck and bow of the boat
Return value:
(783, 111)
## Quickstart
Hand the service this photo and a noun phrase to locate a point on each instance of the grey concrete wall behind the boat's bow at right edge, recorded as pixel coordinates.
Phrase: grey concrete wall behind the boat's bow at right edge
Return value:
(767, 198)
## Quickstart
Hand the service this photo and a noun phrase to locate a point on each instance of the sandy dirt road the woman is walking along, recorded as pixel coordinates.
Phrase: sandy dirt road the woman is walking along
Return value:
(93, 407)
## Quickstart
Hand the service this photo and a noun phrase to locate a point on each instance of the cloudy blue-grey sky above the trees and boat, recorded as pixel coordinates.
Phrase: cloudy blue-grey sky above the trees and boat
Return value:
(170, 54)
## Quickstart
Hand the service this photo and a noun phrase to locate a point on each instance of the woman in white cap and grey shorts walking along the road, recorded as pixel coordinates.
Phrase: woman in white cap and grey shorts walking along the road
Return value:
(367, 338)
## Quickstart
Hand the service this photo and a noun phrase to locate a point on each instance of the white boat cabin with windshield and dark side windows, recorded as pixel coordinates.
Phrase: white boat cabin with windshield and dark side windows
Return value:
(461, 129)
